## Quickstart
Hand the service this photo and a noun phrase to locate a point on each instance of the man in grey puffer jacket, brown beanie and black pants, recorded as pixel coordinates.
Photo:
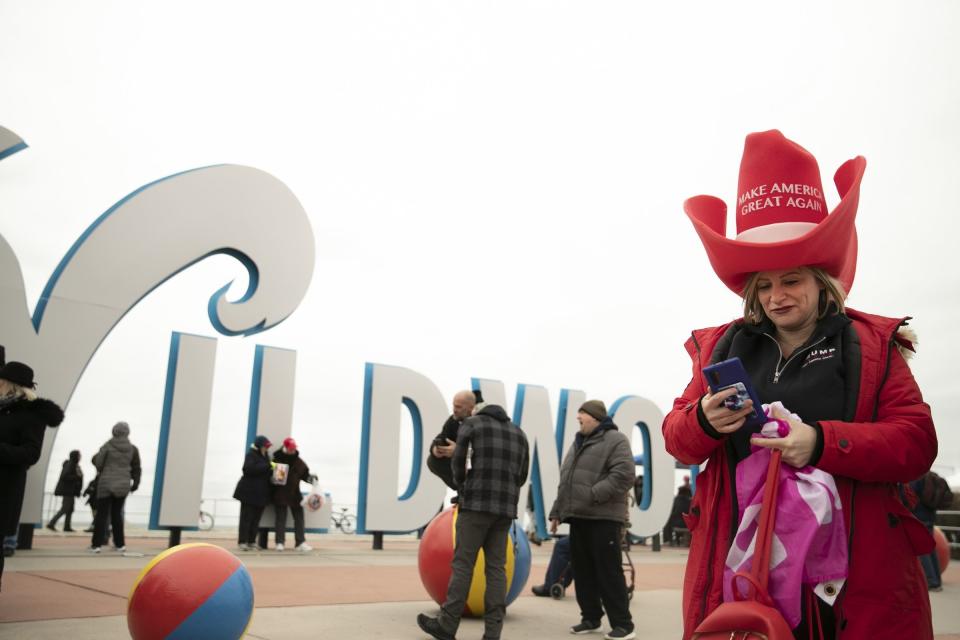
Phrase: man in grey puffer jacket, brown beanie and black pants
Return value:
(595, 478)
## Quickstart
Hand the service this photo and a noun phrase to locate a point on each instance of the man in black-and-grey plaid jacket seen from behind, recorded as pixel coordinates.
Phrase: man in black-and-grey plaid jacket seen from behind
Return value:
(490, 464)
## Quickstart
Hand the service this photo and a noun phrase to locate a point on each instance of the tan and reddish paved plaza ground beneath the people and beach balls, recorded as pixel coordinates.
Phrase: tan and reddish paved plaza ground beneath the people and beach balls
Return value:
(342, 589)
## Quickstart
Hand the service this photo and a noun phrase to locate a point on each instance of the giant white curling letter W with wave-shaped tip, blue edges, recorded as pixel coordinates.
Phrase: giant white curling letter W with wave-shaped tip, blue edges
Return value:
(140, 242)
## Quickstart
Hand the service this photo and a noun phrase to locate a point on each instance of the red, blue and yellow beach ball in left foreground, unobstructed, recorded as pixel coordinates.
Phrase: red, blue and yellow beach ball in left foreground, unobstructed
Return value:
(191, 591)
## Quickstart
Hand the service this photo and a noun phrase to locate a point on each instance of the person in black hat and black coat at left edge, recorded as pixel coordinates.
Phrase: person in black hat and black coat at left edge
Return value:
(23, 419)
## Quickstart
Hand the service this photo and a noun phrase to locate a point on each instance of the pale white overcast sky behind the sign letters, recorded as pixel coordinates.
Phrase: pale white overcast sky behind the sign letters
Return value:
(495, 187)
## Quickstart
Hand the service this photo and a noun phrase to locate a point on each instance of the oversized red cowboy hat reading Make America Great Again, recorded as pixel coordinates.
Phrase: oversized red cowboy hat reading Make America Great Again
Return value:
(782, 219)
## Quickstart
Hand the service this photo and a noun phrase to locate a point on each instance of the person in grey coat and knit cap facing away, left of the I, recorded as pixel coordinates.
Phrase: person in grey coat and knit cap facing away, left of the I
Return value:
(118, 463)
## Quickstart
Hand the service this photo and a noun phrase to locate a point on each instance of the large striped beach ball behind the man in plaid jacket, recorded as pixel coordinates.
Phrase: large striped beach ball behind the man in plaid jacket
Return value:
(435, 557)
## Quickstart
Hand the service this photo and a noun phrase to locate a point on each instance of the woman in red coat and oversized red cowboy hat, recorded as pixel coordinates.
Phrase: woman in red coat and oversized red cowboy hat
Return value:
(863, 419)
